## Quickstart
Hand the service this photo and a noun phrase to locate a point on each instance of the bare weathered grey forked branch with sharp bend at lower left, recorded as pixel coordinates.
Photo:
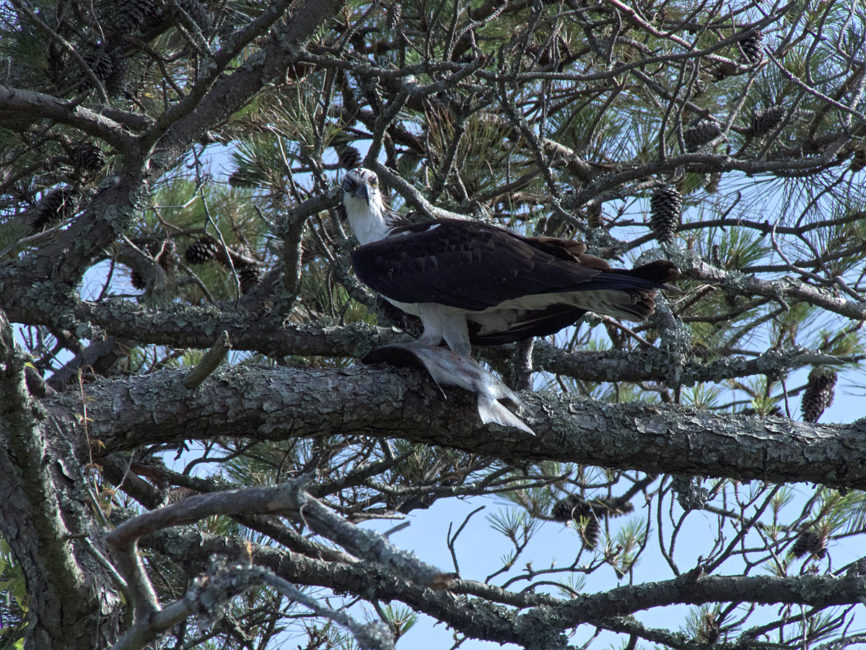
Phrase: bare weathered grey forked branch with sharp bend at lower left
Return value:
(211, 592)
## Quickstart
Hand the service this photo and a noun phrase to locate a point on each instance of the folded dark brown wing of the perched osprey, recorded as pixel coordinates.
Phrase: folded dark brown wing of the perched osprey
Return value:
(473, 266)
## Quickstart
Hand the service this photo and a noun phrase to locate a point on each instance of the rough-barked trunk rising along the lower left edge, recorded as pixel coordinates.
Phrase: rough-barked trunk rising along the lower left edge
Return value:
(32, 502)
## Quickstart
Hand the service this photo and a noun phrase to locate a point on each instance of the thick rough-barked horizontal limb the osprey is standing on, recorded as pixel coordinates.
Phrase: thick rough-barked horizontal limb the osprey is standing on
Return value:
(278, 403)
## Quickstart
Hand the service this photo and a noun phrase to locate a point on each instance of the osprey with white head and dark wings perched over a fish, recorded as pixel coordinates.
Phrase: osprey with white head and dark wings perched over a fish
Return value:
(475, 284)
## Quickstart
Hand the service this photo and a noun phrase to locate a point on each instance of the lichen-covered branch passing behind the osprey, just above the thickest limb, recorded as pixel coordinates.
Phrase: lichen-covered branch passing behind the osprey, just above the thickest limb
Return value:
(195, 327)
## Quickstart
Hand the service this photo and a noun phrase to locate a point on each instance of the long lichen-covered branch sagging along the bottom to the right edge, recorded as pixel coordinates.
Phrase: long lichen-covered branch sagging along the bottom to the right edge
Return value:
(482, 619)
